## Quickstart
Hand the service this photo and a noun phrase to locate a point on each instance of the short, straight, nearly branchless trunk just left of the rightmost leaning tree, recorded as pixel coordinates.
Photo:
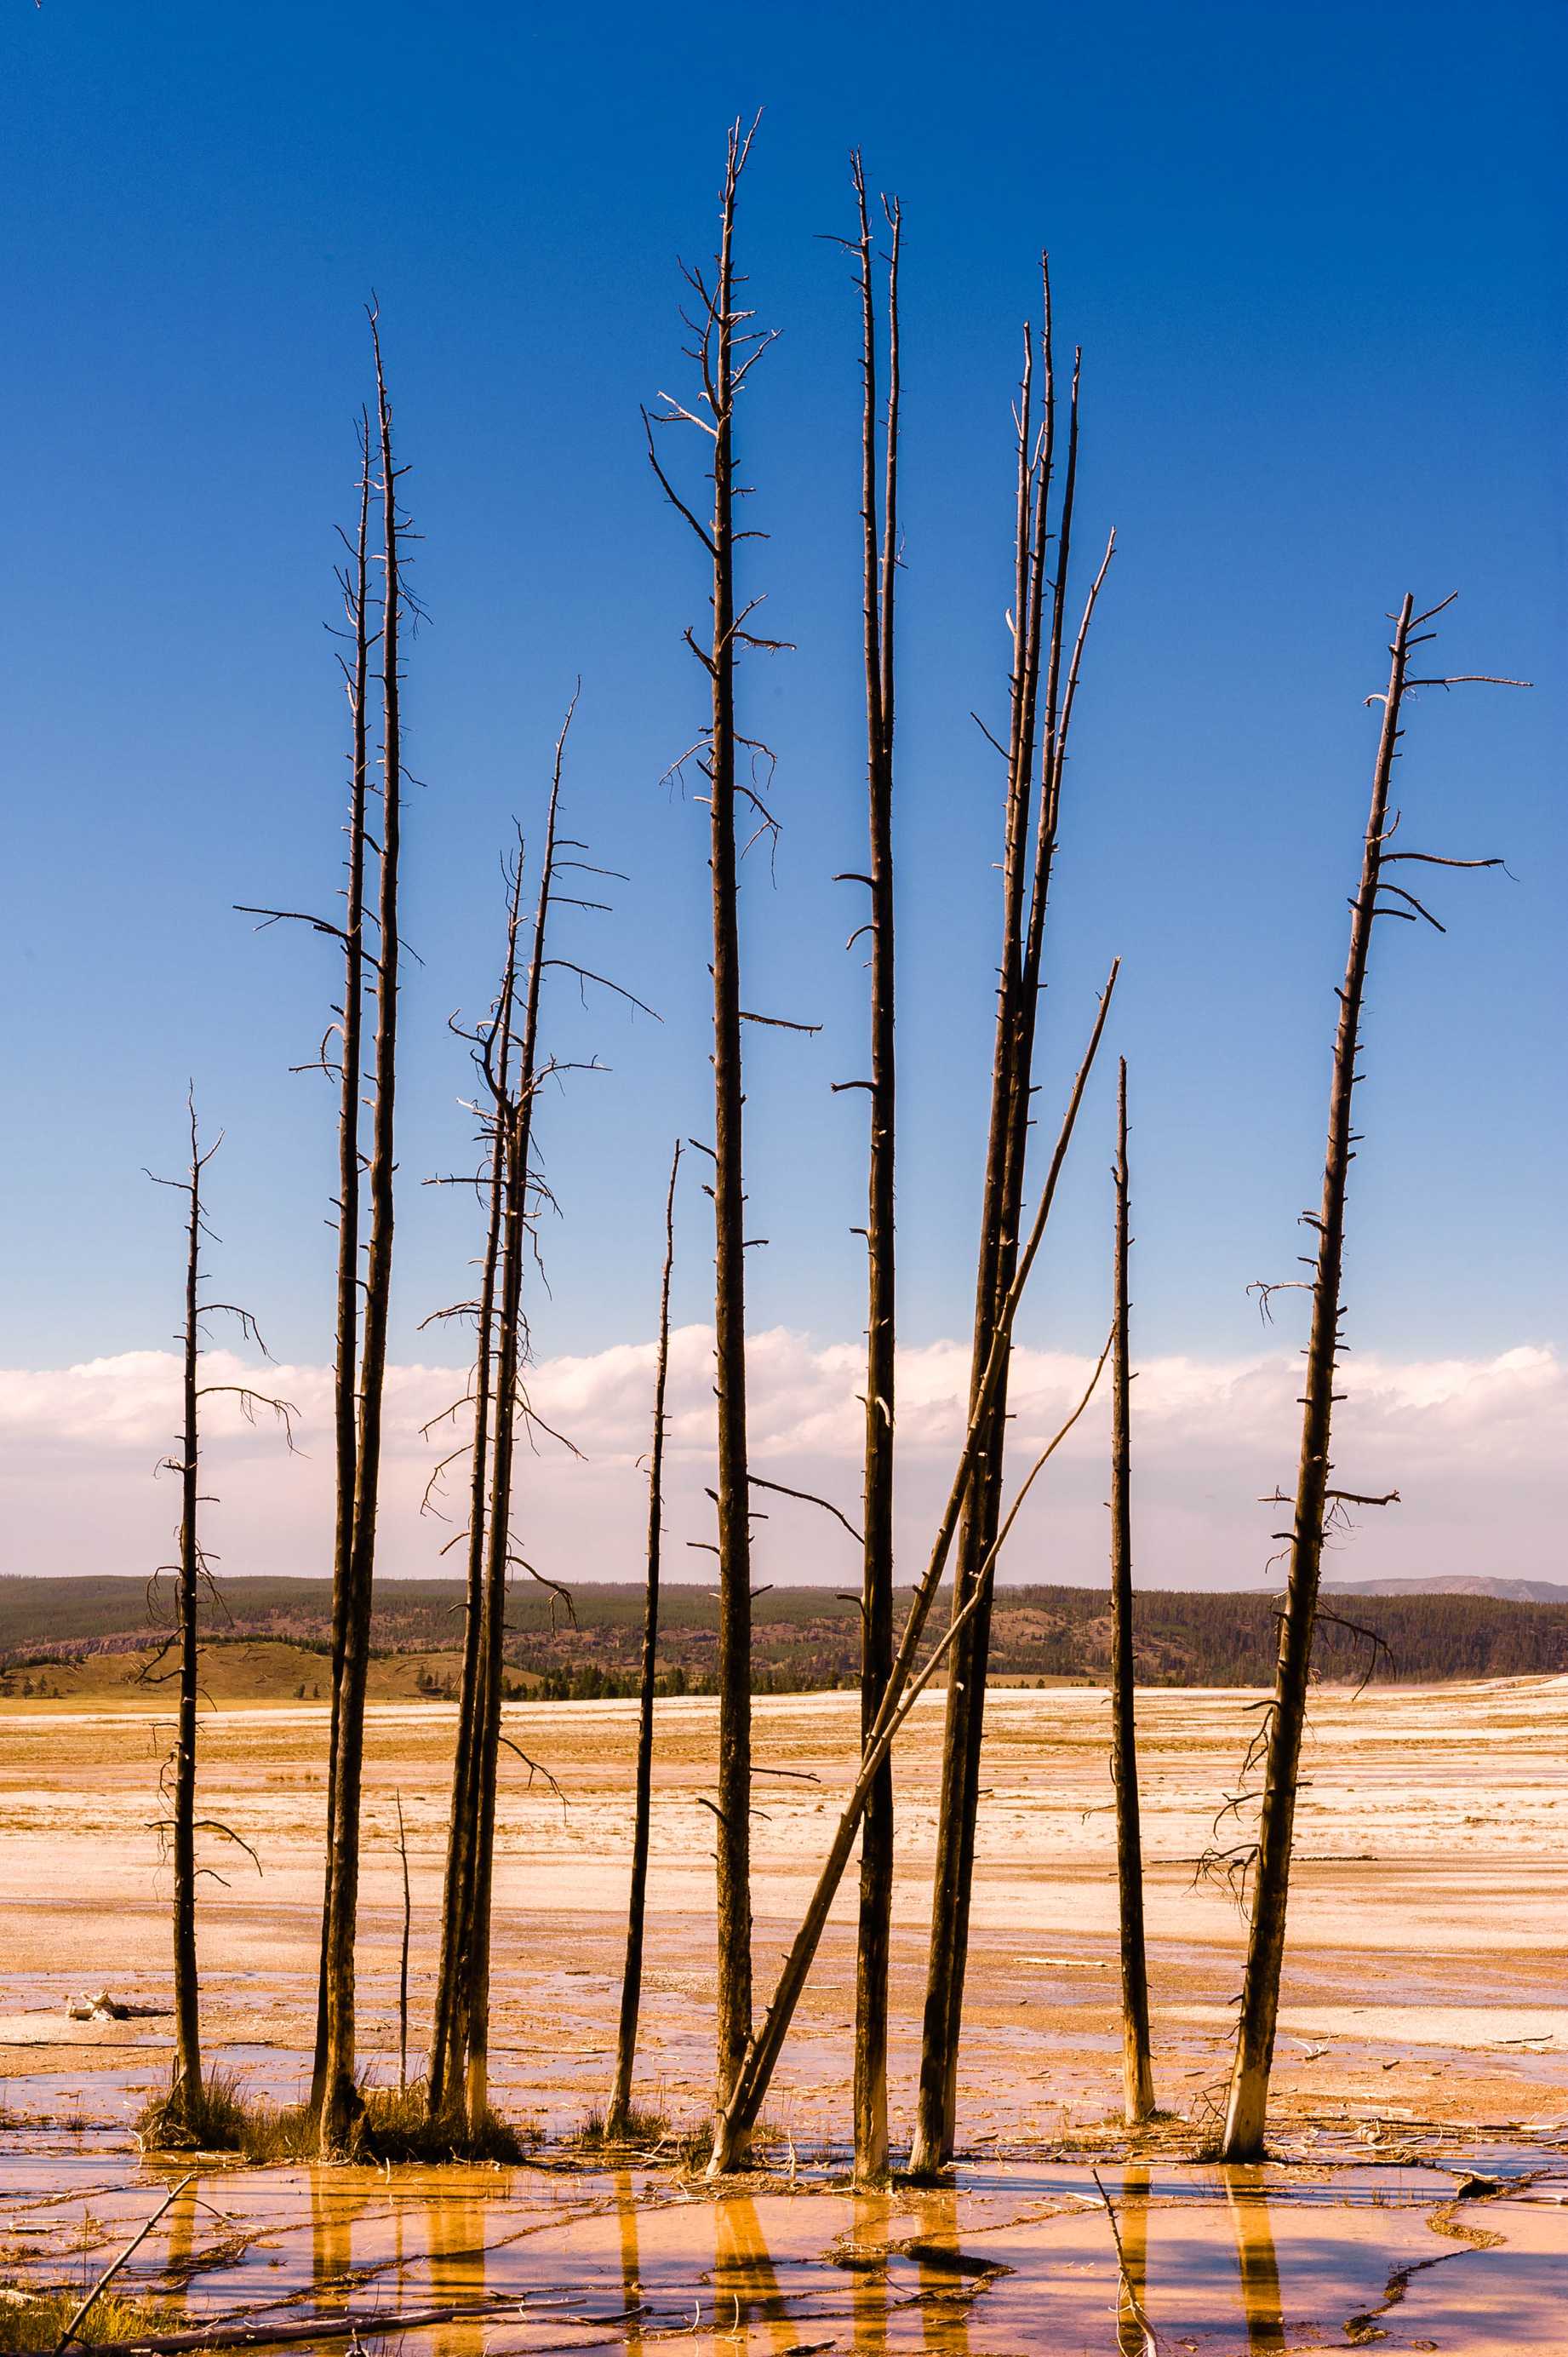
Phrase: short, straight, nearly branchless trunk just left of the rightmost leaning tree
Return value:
(1138, 2071)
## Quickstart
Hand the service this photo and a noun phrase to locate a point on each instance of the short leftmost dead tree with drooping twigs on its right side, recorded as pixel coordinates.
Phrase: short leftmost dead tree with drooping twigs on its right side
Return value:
(192, 1573)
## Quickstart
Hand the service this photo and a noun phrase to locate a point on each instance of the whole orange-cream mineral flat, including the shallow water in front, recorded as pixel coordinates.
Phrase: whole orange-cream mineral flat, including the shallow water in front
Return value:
(1423, 2040)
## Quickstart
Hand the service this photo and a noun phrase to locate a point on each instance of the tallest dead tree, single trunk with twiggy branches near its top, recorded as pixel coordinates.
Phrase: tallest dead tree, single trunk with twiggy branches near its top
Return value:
(725, 350)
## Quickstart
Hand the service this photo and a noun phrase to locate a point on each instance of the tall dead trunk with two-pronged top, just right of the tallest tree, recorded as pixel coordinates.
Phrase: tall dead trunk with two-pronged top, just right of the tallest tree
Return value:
(881, 560)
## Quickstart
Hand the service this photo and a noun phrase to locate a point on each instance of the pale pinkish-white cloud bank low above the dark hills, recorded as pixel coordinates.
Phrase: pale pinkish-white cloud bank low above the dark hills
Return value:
(1475, 1448)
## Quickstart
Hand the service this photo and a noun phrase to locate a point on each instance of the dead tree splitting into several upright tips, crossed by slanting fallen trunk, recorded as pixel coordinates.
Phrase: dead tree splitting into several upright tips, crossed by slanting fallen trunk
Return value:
(1041, 711)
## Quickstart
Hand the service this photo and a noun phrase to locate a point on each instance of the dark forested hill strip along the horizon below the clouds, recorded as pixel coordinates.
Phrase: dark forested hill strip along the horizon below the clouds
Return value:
(803, 1637)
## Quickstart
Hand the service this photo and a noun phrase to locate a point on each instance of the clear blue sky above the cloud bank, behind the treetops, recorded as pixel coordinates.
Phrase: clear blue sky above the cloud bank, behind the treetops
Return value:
(1317, 265)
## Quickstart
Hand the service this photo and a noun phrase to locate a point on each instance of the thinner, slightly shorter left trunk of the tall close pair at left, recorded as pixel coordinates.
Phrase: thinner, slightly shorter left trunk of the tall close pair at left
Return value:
(345, 1361)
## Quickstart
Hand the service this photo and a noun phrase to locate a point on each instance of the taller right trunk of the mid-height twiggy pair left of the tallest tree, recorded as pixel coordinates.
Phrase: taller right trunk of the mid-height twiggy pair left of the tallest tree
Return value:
(515, 1149)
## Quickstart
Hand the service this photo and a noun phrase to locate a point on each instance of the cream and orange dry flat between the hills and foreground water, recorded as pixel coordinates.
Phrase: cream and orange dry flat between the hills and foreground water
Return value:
(1428, 1920)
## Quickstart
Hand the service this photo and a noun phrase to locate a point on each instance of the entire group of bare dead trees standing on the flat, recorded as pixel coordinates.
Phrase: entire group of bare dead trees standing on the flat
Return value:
(1053, 607)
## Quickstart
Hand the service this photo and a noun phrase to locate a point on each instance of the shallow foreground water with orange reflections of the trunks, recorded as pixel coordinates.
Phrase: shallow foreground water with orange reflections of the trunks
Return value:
(1015, 2257)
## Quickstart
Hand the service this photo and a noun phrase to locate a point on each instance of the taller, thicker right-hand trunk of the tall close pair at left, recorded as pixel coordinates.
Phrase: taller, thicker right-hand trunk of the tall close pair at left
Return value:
(341, 2104)
